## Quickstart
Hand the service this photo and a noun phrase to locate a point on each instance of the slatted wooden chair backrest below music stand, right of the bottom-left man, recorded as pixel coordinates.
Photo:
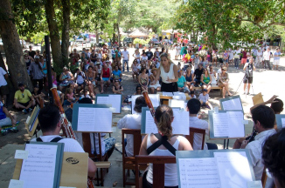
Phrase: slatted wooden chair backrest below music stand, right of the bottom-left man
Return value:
(86, 141)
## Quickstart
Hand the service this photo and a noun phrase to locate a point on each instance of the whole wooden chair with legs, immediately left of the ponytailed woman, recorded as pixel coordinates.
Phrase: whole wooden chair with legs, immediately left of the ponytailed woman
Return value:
(129, 162)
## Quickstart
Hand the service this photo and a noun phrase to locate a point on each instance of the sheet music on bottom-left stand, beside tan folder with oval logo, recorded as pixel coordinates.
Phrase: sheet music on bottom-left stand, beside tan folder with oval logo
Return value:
(39, 169)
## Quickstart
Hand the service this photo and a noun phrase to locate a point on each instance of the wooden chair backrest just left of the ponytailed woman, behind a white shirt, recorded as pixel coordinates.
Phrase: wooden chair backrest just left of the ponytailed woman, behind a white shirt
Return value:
(137, 140)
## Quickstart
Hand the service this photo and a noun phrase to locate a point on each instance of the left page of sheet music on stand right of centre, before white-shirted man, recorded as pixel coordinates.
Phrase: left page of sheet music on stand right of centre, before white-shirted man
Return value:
(220, 124)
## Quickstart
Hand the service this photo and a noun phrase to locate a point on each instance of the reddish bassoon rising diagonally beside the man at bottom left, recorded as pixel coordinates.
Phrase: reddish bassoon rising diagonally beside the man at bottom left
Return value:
(66, 128)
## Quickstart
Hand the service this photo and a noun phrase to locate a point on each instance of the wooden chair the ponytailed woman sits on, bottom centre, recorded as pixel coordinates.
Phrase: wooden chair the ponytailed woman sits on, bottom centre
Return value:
(158, 168)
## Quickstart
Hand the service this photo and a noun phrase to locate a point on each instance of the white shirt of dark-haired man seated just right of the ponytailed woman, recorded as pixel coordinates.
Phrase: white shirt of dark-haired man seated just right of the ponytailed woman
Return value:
(195, 122)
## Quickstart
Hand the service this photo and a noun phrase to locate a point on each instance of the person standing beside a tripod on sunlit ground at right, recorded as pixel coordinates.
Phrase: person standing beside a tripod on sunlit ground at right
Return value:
(248, 77)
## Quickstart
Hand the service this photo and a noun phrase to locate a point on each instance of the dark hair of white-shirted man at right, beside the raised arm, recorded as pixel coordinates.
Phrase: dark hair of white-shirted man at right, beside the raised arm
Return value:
(264, 115)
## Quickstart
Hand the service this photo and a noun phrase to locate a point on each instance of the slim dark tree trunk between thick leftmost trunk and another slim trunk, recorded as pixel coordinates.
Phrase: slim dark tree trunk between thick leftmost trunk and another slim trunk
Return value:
(54, 36)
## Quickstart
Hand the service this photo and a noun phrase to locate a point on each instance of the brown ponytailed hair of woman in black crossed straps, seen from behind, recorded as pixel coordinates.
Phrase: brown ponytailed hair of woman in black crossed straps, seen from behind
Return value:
(163, 116)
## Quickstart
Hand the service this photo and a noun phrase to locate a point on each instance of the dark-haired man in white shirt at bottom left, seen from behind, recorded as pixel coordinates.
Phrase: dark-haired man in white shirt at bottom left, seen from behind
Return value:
(50, 123)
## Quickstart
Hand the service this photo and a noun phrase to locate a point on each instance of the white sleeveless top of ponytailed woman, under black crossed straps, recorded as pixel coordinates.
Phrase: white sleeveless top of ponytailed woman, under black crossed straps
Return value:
(171, 178)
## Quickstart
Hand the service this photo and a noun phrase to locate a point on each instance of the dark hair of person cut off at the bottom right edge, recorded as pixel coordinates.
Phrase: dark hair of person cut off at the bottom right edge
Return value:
(273, 152)
